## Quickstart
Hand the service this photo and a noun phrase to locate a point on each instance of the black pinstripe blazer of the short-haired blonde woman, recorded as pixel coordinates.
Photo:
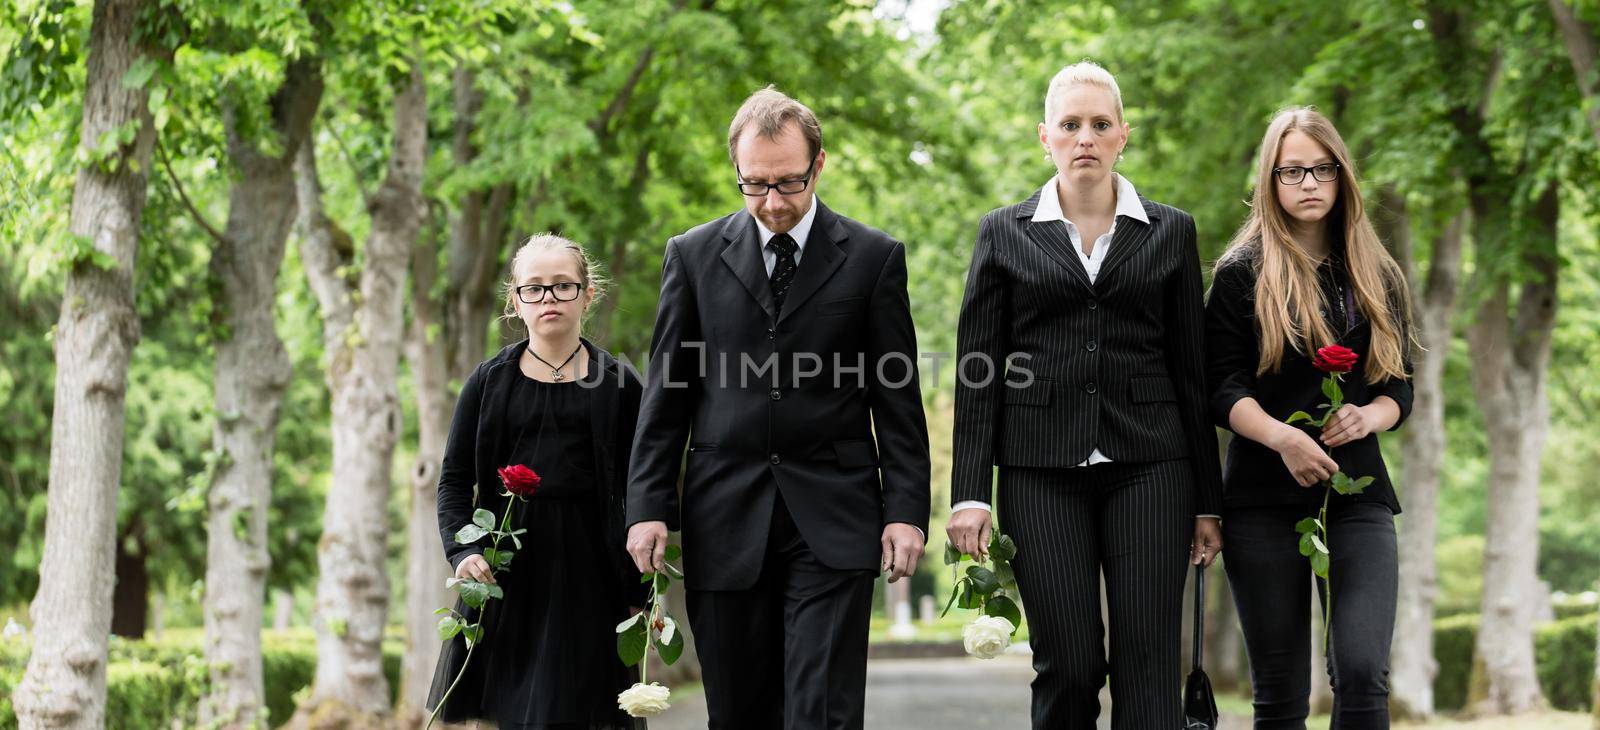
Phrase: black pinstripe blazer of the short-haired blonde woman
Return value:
(1114, 366)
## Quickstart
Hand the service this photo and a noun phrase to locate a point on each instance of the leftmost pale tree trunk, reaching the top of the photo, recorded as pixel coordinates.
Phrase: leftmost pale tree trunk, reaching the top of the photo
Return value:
(65, 684)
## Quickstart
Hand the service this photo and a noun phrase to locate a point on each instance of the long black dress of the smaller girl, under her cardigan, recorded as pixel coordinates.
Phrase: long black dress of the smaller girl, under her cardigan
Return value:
(548, 659)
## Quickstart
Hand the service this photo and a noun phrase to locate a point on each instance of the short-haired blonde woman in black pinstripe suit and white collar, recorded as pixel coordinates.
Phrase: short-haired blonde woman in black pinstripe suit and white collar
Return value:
(1082, 379)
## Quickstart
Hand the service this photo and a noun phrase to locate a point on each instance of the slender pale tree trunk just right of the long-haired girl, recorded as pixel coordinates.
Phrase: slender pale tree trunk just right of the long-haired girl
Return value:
(1423, 443)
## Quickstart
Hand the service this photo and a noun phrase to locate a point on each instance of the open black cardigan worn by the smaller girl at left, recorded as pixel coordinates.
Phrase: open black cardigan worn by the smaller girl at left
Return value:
(478, 430)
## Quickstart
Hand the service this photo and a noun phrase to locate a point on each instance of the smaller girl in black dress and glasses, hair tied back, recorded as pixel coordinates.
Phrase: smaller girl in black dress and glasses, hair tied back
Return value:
(567, 411)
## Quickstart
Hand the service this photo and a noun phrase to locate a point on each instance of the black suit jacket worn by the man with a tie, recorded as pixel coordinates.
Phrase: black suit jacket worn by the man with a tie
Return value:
(734, 379)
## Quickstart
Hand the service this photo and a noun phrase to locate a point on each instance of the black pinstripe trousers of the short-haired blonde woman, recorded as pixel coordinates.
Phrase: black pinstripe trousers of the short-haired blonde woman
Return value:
(1130, 523)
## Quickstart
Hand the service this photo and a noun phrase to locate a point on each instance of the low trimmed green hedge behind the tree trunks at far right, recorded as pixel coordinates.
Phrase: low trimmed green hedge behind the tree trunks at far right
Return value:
(1564, 651)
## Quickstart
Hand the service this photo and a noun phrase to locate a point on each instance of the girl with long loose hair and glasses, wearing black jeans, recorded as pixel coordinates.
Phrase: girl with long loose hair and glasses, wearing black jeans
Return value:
(1308, 271)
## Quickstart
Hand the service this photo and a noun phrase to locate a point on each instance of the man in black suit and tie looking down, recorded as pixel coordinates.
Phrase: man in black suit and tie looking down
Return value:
(783, 345)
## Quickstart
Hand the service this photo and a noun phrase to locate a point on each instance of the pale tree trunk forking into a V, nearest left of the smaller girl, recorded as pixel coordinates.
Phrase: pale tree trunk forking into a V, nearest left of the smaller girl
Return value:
(353, 585)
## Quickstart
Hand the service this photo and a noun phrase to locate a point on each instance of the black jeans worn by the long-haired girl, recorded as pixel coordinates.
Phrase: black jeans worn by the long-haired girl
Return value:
(1270, 580)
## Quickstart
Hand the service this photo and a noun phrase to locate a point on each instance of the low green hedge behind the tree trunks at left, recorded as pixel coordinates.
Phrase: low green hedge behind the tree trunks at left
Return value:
(153, 683)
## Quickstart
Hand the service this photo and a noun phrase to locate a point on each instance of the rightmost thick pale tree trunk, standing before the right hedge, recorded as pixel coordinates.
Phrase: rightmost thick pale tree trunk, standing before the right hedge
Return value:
(1510, 359)
